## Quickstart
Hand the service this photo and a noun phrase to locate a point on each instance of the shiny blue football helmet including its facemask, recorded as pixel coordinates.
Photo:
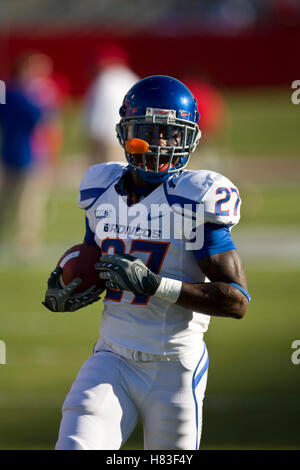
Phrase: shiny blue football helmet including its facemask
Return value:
(158, 127)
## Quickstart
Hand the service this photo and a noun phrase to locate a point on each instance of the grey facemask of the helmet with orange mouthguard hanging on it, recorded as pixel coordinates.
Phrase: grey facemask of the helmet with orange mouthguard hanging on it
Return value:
(167, 143)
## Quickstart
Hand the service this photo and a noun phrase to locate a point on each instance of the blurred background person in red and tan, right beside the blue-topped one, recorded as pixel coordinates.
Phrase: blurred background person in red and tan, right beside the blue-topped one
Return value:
(42, 88)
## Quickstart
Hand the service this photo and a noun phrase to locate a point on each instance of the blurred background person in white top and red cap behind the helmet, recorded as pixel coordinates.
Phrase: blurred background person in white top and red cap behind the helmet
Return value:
(102, 103)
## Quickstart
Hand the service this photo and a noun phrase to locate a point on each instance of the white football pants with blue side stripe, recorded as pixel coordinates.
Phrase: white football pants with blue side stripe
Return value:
(111, 391)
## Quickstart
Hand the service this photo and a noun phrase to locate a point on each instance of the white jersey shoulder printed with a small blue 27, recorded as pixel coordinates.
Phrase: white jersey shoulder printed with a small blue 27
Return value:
(218, 194)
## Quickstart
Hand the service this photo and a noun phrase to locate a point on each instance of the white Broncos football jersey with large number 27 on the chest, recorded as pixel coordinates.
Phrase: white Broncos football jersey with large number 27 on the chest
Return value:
(144, 323)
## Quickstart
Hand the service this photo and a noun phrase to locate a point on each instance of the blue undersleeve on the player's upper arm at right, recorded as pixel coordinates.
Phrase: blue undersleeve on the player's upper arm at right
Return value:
(217, 239)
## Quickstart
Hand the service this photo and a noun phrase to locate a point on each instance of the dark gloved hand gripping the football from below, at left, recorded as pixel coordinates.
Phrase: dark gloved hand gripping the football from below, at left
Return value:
(58, 299)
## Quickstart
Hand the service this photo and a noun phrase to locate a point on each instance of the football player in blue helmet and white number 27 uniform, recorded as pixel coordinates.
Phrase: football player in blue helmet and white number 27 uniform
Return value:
(163, 285)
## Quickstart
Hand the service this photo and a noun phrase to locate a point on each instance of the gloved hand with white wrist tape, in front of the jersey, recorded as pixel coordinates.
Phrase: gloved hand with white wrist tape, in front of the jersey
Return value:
(126, 272)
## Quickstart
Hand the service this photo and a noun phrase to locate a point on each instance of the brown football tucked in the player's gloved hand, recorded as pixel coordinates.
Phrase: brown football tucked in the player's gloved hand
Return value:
(79, 261)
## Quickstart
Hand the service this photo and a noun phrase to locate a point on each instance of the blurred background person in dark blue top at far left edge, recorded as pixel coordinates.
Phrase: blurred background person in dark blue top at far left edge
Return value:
(19, 118)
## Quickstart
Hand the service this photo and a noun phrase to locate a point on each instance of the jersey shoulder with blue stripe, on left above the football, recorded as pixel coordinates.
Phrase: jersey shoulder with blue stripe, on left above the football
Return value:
(96, 180)
